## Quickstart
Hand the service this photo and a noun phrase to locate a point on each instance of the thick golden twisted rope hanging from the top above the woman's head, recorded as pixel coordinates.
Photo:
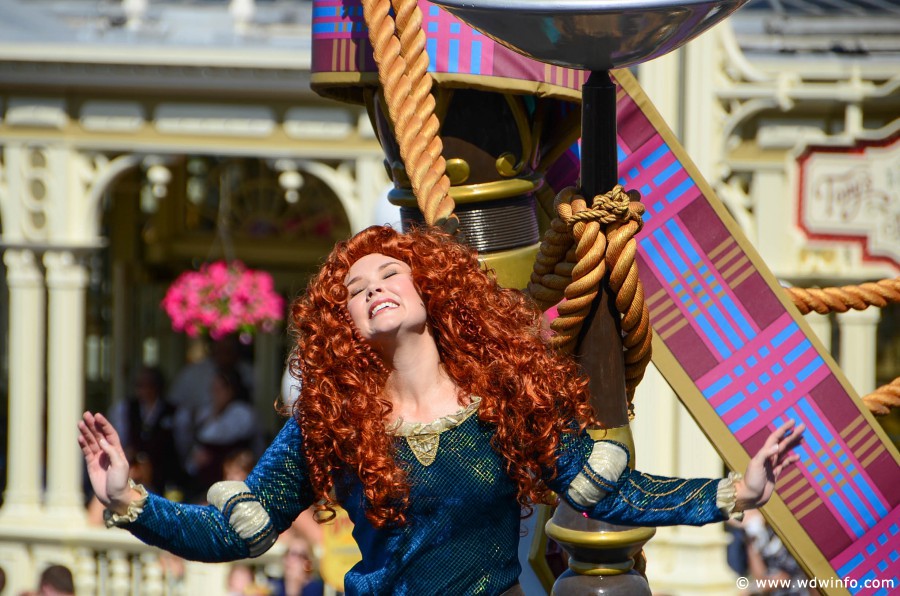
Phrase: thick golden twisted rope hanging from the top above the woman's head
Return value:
(399, 51)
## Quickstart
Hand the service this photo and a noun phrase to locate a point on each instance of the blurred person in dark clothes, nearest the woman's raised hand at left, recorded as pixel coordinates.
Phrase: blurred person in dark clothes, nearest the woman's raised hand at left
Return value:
(147, 423)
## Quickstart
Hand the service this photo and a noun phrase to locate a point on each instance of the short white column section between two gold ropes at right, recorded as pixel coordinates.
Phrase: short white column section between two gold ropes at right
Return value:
(858, 340)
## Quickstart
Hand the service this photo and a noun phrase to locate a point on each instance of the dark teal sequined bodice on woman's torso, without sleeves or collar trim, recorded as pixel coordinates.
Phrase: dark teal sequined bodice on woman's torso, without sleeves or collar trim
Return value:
(463, 525)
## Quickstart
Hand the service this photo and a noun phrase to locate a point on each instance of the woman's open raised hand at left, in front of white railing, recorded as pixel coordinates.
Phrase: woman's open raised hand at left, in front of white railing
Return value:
(106, 462)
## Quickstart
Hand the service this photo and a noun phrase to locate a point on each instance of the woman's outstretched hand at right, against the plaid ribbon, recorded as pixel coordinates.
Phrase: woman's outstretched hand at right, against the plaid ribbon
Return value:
(775, 455)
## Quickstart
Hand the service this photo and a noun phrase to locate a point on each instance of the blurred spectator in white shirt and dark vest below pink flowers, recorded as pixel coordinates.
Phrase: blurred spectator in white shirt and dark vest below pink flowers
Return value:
(226, 424)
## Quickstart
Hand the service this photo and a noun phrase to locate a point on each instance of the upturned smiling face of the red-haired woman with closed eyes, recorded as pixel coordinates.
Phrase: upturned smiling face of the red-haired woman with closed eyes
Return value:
(384, 302)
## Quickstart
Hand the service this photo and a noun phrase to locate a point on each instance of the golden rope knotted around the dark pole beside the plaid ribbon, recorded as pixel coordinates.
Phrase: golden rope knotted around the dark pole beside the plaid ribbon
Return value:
(581, 244)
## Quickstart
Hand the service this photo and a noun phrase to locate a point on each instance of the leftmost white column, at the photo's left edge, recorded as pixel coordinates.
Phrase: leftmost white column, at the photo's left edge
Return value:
(26, 386)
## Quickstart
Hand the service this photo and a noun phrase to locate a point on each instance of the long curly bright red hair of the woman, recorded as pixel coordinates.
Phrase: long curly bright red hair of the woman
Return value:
(489, 341)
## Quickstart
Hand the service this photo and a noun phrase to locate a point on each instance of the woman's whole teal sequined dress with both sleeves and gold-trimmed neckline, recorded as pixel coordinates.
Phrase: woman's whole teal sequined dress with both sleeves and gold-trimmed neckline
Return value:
(463, 520)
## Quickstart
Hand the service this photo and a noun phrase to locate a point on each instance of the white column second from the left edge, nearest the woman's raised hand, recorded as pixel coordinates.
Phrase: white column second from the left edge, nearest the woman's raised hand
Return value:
(66, 282)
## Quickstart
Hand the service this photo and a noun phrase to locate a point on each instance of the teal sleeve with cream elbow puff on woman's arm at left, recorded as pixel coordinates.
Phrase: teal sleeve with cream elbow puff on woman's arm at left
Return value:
(279, 484)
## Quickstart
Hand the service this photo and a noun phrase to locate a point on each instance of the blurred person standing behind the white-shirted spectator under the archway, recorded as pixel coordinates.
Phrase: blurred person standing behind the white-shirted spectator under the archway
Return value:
(192, 388)
